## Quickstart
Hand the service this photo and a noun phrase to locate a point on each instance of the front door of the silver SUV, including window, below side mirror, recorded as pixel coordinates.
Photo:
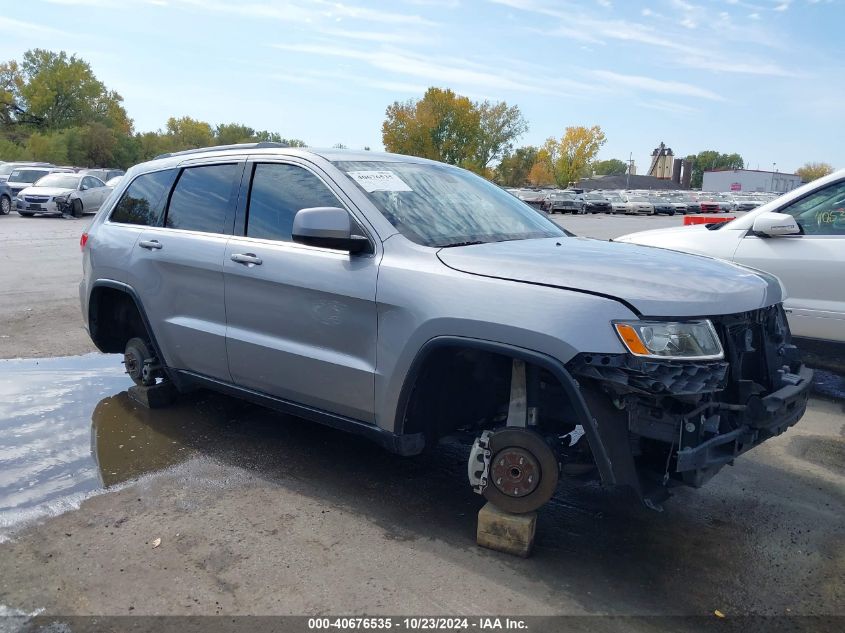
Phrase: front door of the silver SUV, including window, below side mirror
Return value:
(301, 320)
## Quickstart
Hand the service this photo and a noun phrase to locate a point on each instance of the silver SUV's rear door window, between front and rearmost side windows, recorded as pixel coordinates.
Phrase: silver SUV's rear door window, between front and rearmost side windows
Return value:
(202, 198)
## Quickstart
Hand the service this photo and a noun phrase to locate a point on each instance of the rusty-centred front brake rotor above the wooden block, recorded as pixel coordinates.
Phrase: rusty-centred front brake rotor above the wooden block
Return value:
(523, 470)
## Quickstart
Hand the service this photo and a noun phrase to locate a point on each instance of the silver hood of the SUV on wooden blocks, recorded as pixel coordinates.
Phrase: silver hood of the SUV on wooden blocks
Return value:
(656, 282)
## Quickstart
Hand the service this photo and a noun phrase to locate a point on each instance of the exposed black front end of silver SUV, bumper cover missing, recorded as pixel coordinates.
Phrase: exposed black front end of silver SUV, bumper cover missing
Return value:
(669, 422)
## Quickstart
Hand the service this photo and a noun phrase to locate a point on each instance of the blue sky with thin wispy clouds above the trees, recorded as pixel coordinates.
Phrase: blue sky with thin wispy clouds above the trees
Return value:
(763, 78)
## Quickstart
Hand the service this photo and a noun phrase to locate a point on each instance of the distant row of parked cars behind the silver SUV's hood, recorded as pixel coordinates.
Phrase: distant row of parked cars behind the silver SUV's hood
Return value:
(635, 202)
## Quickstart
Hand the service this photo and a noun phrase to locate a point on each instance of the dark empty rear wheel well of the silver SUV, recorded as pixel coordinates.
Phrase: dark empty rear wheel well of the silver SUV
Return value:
(113, 319)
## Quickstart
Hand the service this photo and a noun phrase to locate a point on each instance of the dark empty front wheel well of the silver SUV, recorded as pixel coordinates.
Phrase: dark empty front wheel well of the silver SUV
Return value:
(465, 389)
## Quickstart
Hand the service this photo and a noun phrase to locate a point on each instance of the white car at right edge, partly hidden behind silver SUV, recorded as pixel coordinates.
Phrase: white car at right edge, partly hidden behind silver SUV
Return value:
(799, 237)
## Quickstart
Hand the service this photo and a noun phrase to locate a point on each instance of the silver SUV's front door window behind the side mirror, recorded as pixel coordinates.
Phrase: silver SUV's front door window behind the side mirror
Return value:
(278, 191)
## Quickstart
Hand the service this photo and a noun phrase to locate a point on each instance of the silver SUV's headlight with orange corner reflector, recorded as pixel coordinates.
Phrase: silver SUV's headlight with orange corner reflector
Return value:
(671, 340)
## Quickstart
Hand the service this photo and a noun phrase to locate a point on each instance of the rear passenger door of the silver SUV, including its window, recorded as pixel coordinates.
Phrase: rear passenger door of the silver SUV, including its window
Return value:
(177, 268)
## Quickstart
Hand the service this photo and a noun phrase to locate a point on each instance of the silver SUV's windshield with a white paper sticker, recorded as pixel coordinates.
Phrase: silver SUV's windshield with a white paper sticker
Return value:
(438, 205)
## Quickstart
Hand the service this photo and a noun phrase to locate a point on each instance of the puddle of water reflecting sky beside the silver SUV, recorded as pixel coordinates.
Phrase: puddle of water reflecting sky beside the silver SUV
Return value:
(68, 428)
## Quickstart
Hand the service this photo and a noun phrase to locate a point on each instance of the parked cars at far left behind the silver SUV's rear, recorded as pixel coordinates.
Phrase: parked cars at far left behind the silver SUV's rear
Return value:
(42, 188)
